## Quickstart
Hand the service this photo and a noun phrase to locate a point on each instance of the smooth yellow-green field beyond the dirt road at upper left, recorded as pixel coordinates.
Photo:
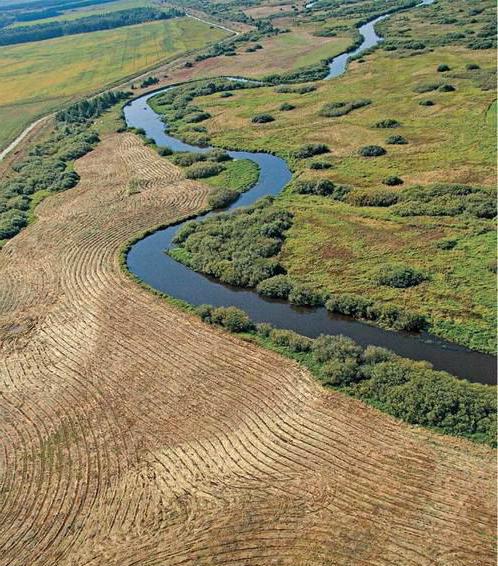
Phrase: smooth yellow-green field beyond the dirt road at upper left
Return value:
(39, 77)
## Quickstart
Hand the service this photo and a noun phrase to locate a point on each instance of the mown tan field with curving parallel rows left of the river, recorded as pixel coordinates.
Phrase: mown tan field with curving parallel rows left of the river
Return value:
(131, 433)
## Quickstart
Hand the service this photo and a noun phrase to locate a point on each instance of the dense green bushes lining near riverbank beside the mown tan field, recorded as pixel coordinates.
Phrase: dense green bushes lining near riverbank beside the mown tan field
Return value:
(409, 390)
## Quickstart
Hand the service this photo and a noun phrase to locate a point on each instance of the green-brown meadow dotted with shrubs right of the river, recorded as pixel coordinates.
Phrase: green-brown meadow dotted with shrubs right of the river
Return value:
(340, 247)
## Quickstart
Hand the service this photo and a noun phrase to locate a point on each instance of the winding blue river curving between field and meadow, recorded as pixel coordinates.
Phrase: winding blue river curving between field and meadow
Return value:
(148, 261)
